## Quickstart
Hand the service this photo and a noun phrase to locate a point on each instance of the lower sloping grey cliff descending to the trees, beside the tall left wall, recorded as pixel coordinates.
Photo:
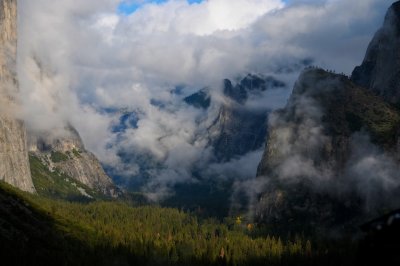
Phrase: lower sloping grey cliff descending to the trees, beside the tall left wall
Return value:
(69, 155)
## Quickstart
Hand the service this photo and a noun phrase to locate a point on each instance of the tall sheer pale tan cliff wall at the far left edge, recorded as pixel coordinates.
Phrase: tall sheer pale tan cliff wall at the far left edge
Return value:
(14, 163)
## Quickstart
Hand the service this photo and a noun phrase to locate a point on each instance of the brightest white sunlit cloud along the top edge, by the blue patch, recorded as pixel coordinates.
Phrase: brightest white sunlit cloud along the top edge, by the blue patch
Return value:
(202, 19)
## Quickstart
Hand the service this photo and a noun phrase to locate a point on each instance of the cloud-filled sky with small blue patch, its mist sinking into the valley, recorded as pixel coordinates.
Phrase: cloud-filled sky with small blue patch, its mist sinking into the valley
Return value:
(78, 61)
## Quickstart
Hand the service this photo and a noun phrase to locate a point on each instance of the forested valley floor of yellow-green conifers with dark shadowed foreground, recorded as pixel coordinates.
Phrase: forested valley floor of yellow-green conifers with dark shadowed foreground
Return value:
(40, 231)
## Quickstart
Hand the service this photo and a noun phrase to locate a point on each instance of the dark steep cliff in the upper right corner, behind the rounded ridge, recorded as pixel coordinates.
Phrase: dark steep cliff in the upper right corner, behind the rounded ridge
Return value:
(380, 70)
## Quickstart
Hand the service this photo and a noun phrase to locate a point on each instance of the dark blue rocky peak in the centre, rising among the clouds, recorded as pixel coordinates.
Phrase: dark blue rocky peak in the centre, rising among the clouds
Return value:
(239, 129)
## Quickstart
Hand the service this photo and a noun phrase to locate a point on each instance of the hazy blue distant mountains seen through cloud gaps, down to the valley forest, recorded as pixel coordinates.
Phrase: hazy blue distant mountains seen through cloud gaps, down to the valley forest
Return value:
(236, 129)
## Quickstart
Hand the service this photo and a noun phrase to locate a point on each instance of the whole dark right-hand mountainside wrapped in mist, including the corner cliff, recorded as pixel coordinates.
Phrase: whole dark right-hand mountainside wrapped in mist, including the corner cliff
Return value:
(332, 154)
